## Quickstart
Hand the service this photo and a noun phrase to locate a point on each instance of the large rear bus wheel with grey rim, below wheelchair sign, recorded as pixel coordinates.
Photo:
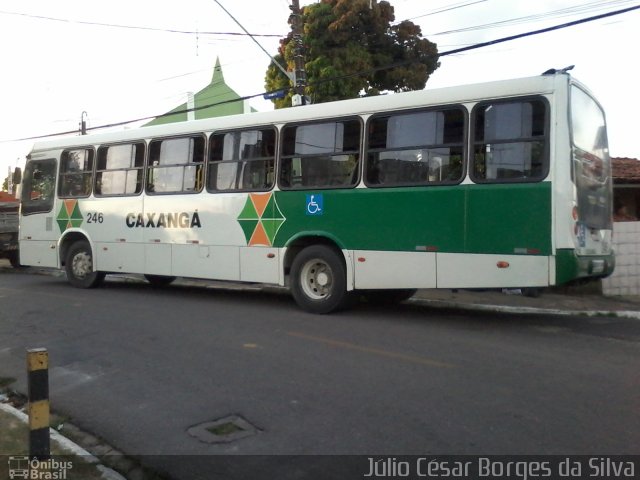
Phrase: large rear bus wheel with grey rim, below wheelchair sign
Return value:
(319, 280)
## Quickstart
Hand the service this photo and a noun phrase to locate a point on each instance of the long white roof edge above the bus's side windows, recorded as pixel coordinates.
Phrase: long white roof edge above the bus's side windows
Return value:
(361, 106)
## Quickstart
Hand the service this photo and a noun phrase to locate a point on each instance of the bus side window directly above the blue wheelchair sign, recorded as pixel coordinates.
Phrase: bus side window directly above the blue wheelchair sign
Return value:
(320, 155)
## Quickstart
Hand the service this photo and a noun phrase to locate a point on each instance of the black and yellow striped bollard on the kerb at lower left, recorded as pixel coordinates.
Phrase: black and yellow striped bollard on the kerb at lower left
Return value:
(38, 369)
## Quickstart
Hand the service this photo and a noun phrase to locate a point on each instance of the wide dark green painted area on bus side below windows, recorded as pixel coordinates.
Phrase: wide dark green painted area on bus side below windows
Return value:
(503, 219)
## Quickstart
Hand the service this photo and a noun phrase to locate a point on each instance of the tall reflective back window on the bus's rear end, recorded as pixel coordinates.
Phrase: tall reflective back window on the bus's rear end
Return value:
(591, 162)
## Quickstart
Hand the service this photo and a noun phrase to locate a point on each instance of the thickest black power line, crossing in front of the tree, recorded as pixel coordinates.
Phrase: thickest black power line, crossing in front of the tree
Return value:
(342, 77)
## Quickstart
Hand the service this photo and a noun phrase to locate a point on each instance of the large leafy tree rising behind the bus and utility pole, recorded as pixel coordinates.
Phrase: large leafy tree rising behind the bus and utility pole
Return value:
(352, 49)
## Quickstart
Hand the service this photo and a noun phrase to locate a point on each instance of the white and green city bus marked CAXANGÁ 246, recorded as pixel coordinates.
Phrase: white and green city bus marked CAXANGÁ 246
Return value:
(505, 184)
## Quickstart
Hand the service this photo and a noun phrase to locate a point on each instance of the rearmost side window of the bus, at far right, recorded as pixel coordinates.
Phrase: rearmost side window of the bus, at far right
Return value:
(510, 141)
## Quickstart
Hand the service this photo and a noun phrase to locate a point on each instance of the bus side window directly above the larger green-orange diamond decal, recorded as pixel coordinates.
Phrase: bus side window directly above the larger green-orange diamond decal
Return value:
(242, 160)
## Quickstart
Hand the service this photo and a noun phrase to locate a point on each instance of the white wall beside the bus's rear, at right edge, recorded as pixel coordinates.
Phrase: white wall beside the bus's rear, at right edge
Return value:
(626, 277)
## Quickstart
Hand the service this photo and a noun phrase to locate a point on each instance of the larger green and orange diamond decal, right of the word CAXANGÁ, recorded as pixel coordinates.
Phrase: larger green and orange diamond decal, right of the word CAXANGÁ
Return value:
(261, 219)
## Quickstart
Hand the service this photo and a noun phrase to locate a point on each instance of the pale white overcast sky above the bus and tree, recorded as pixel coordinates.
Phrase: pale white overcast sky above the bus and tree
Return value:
(119, 60)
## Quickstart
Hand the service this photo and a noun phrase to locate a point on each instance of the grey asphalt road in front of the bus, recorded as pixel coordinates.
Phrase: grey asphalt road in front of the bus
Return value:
(139, 366)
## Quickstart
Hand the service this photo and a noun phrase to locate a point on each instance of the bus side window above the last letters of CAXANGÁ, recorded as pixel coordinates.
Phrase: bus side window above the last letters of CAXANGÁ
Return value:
(176, 165)
